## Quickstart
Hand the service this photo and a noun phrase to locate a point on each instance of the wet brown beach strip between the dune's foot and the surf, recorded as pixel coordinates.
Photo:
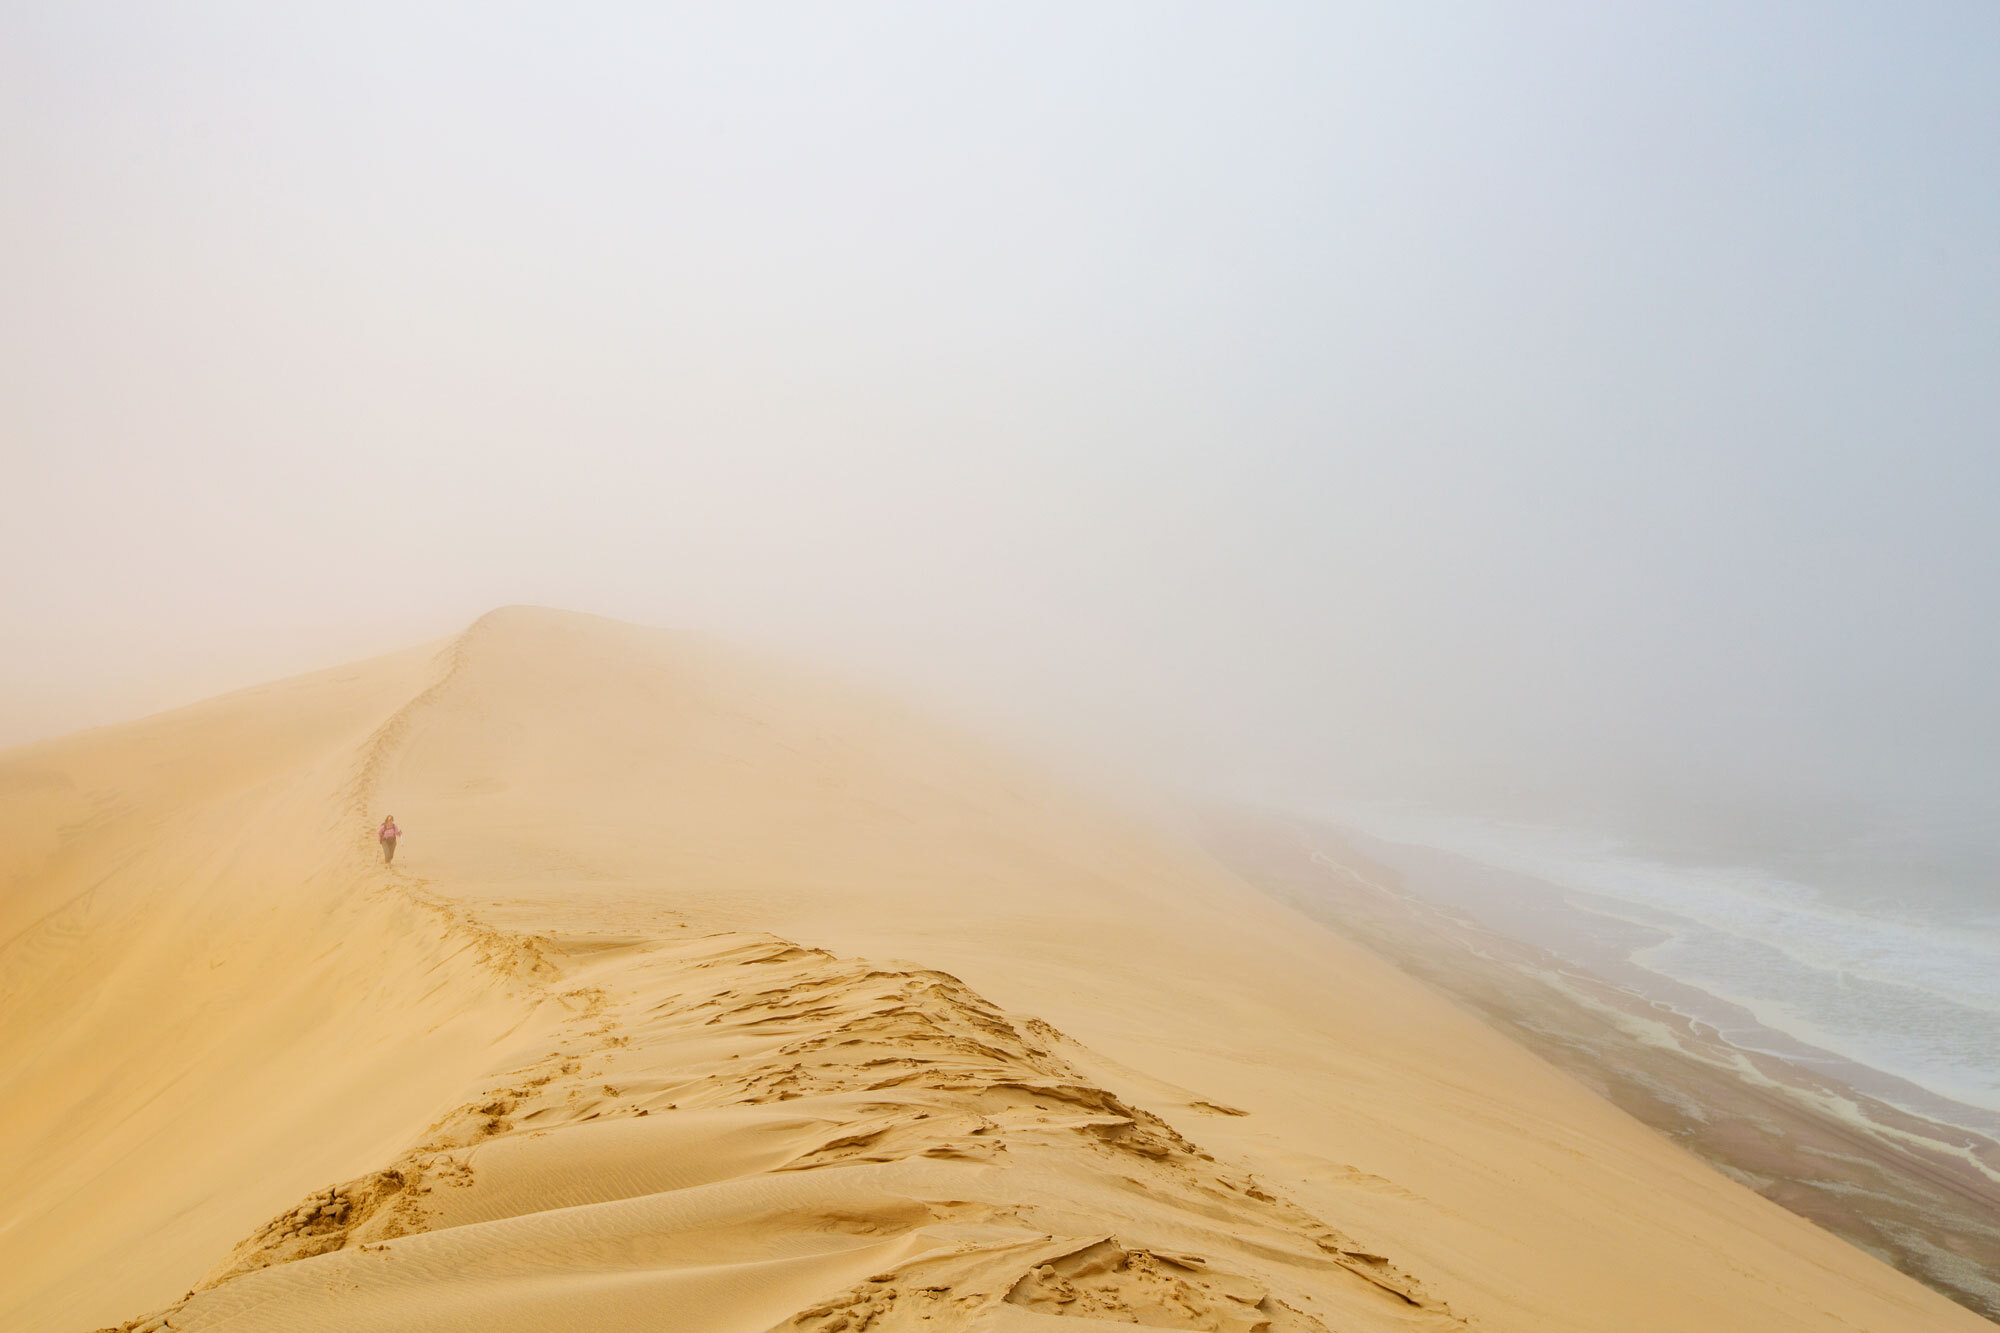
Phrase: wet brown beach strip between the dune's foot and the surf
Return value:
(1803, 1128)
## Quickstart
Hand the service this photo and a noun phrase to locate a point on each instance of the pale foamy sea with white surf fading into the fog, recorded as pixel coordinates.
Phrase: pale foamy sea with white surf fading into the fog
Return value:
(1895, 976)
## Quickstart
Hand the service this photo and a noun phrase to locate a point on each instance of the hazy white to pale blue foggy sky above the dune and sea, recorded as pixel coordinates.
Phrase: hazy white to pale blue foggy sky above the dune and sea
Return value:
(1499, 399)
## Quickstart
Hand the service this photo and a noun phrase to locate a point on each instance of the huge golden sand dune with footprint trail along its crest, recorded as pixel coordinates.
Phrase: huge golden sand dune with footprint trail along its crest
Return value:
(713, 998)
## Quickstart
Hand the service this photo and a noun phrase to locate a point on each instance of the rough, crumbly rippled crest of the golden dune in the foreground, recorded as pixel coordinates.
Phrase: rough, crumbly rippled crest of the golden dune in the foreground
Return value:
(751, 1134)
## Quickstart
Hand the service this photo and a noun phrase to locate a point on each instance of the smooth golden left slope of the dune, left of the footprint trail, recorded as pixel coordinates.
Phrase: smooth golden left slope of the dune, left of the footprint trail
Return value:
(205, 1006)
